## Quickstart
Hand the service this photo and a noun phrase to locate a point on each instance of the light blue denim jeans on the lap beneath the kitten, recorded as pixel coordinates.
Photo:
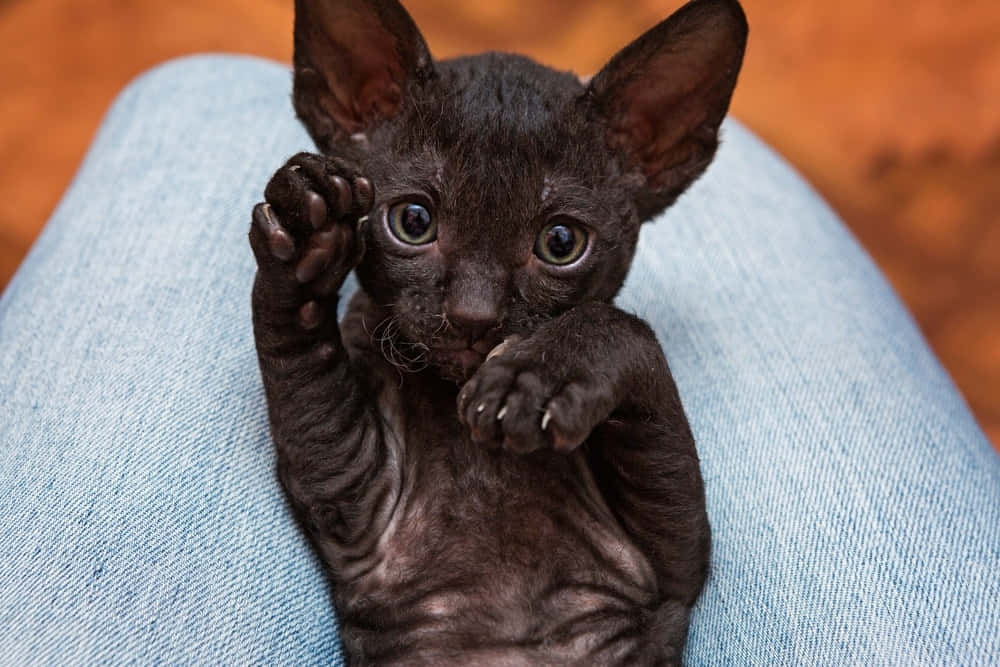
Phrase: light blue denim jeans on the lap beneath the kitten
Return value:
(854, 502)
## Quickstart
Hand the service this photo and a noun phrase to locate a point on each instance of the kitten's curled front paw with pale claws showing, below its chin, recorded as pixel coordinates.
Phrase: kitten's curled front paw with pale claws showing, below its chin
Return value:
(524, 398)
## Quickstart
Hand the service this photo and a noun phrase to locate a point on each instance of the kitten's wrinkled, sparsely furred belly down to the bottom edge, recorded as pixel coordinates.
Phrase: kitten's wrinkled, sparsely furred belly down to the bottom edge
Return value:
(500, 560)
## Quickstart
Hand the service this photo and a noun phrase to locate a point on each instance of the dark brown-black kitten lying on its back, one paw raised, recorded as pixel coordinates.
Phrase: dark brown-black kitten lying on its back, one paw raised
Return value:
(491, 459)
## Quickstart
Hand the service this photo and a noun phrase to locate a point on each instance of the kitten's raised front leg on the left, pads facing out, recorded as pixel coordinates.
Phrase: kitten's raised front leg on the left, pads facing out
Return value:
(333, 460)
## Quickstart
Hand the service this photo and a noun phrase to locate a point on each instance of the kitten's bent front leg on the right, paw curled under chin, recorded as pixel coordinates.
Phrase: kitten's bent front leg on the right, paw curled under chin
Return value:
(596, 377)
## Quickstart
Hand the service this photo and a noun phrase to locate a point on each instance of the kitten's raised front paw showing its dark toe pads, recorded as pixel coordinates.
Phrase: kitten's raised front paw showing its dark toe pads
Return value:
(308, 234)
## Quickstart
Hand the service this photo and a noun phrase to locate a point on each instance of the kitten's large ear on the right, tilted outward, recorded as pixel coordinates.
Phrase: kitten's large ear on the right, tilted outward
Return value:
(664, 96)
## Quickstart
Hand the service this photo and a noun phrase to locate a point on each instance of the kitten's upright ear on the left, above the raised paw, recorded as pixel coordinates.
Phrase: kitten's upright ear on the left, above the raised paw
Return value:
(355, 61)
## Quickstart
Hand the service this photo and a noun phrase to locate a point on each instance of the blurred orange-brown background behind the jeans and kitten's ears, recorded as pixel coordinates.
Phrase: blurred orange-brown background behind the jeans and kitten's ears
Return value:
(891, 109)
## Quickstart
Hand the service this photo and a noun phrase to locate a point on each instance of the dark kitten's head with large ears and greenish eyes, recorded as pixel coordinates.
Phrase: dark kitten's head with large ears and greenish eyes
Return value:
(507, 192)
